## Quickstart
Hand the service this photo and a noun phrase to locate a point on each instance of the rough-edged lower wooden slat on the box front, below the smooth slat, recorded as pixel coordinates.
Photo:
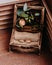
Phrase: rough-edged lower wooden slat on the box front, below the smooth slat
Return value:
(24, 44)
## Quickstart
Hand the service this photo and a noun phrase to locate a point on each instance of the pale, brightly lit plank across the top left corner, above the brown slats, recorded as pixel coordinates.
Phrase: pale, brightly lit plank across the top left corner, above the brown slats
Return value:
(8, 2)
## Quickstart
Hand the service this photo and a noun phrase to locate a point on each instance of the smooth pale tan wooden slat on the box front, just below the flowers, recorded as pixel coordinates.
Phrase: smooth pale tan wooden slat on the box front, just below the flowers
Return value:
(26, 35)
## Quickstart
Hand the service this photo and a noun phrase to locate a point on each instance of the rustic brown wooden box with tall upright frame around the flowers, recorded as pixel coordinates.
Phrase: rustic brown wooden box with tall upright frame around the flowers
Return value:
(25, 41)
